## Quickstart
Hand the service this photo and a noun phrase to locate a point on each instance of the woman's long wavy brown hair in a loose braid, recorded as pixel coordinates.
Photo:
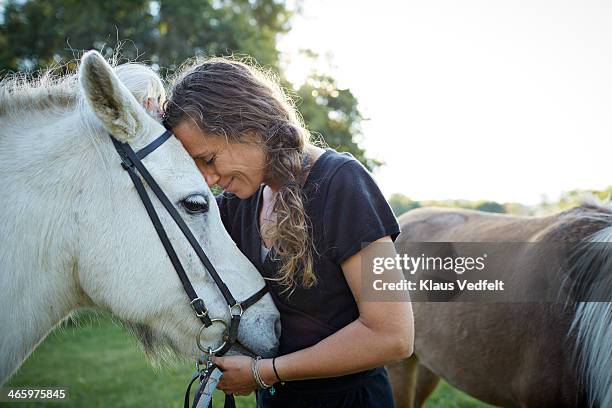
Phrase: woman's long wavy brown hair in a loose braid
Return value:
(236, 100)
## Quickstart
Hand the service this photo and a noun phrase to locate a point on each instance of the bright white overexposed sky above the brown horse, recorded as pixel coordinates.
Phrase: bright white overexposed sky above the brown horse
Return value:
(508, 101)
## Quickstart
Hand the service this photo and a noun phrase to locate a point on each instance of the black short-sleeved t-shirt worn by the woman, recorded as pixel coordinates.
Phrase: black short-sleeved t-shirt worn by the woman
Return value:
(346, 209)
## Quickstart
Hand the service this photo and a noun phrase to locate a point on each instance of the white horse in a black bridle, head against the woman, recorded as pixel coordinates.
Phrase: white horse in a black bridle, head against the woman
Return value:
(75, 233)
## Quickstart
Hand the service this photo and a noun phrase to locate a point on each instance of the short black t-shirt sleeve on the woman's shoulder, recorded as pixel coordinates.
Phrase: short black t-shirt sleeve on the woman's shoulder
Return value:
(356, 212)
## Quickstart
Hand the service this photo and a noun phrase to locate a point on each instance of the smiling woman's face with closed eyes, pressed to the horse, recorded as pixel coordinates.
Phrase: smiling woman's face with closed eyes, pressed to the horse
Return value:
(235, 167)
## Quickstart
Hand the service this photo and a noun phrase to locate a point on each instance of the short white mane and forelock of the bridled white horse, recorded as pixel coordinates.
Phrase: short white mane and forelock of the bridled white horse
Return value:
(22, 93)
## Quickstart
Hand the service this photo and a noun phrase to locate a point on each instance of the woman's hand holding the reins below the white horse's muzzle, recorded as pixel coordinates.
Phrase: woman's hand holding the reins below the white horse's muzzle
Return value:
(237, 375)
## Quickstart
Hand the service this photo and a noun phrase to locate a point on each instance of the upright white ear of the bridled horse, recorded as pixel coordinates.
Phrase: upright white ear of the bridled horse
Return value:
(110, 100)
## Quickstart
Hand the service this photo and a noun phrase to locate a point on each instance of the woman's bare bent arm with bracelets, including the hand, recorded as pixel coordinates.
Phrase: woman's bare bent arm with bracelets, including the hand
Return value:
(384, 332)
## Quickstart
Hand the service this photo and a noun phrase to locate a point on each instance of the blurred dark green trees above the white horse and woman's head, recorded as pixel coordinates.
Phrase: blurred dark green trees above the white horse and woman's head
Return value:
(37, 33)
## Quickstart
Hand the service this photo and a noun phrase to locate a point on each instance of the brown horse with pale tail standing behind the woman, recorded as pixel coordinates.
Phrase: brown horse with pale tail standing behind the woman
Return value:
(545, 354)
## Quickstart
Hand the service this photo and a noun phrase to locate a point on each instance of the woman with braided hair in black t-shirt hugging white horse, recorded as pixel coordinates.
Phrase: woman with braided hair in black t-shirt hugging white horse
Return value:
(300, 214)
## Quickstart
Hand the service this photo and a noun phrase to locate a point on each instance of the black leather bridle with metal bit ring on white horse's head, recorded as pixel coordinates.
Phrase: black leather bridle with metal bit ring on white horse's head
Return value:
(131, 162)
